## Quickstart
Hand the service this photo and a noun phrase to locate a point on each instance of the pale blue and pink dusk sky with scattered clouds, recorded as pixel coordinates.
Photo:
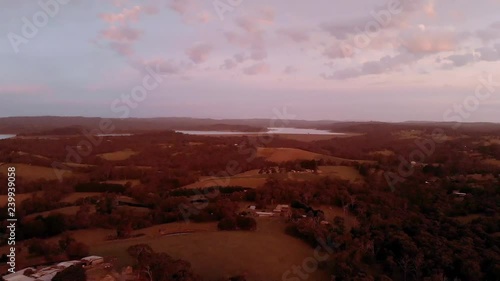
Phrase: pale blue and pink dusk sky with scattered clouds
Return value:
(396, 60)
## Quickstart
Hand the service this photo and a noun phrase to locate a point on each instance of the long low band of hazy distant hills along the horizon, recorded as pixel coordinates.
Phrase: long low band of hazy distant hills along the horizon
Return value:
(53, 125)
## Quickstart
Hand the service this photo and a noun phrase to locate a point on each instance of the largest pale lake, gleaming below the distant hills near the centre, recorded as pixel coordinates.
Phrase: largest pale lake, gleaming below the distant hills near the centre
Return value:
(275, 131)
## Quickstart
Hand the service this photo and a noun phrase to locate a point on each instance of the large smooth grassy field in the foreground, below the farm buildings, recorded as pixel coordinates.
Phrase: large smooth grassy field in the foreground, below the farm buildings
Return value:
(264, 254)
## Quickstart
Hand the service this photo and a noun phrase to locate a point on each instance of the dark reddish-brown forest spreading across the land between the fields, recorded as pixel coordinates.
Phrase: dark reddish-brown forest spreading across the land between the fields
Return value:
(408, 229)
